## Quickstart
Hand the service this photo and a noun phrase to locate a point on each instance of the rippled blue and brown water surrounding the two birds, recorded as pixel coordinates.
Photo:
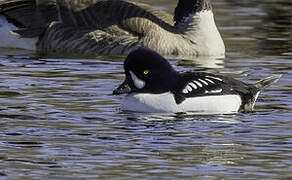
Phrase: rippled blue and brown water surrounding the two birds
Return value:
(60, 121)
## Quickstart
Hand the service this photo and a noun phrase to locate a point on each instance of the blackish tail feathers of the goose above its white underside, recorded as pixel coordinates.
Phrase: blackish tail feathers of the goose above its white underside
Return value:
(29, 15)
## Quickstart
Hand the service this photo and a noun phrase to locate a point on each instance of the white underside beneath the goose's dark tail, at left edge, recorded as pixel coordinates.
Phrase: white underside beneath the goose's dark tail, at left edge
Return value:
(9, 40)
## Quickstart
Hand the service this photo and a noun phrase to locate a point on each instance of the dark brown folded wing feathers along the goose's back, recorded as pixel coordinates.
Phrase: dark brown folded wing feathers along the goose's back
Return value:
(104, 13)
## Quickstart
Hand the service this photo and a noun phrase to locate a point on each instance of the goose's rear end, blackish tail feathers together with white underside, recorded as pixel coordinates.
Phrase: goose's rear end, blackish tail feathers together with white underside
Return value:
(23, 21)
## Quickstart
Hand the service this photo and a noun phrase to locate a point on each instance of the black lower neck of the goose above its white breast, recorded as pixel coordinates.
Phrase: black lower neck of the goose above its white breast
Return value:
(186, 7)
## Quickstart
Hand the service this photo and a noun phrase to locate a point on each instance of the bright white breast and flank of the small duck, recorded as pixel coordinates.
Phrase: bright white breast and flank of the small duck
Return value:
(165, 103)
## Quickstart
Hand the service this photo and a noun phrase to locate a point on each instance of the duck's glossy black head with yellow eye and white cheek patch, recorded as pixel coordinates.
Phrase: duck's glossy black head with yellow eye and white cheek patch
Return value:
(147, 71)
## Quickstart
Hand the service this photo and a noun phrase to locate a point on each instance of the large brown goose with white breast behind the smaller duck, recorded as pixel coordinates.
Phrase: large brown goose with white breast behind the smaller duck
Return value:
(109, 27)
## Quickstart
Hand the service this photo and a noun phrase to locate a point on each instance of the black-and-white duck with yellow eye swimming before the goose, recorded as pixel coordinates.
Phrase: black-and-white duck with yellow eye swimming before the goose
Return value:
(152, 85)
